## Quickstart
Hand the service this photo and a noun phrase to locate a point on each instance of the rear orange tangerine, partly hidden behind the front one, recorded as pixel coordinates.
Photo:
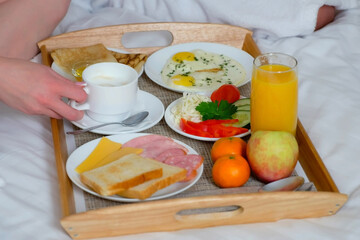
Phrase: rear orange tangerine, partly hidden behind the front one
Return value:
(228, 145)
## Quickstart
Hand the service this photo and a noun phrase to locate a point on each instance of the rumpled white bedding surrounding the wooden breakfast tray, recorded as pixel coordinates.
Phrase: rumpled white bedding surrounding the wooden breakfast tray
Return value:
(329, 109)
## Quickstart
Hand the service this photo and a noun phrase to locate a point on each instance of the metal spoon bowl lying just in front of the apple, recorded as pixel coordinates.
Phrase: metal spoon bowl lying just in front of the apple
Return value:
(285, 184)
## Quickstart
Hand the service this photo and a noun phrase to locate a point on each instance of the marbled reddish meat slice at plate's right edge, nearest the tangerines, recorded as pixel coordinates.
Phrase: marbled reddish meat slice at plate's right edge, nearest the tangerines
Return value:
(191, 162)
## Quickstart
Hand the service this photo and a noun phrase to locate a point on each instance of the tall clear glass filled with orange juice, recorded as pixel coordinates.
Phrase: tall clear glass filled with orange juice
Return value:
(274, 93)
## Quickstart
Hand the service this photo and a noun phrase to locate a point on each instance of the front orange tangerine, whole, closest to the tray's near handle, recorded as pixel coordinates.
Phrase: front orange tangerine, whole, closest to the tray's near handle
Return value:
(231, 171)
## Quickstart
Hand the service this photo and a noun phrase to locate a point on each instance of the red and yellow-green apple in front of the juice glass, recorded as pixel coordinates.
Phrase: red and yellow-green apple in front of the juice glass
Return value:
(272, 155)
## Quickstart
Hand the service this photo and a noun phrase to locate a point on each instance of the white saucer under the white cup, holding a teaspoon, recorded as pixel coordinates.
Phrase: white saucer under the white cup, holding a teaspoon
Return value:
(146, 102)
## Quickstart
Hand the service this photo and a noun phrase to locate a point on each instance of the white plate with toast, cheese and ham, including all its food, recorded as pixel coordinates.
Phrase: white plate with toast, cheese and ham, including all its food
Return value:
(181, 167)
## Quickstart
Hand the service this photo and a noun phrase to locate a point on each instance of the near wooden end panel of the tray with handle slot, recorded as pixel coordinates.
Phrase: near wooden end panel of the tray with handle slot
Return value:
(168, 215)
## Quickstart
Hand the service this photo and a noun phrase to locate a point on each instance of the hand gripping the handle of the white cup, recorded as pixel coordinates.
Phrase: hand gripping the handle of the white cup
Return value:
(36, 89)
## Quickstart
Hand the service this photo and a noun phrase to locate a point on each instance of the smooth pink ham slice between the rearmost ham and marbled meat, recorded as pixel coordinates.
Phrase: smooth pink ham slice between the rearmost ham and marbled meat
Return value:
(153, 149)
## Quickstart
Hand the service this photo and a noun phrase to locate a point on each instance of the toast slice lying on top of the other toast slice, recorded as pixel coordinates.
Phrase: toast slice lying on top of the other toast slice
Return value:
(124, 173)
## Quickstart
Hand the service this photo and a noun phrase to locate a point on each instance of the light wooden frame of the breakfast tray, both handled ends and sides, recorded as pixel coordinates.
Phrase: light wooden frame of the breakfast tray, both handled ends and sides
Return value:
(167, 215)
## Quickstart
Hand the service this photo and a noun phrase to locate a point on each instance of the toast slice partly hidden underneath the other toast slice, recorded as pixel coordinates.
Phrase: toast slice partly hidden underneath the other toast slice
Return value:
(171, 174)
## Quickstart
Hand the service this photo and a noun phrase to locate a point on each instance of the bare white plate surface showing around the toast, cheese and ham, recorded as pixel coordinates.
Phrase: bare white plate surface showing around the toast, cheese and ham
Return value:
(79, 155)
